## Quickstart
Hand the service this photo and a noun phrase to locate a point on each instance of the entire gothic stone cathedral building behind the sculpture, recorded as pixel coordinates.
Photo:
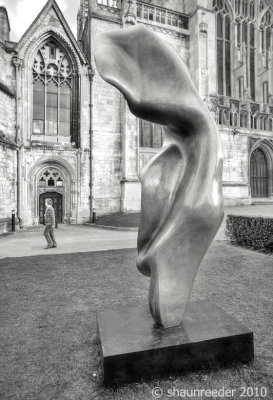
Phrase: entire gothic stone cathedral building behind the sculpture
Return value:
(66, 134)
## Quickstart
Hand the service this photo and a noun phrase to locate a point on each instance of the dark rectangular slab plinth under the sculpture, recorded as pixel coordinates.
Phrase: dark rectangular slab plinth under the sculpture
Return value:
(133, 347)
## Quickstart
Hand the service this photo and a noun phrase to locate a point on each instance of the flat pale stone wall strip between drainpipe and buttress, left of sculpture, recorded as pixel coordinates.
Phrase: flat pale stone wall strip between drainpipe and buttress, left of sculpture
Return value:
(106, 132)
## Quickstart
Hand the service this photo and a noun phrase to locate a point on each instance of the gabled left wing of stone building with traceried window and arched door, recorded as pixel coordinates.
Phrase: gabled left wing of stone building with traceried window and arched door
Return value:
(44, 121)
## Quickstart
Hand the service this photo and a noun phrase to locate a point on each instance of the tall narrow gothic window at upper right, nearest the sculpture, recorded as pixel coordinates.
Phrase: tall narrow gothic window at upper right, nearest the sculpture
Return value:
(223, 37)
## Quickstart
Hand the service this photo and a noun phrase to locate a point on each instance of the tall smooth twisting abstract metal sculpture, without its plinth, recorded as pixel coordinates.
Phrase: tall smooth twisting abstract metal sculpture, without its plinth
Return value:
(182, 202)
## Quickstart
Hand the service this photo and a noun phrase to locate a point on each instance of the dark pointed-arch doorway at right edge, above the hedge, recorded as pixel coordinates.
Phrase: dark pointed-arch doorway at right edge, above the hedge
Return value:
(259, 174)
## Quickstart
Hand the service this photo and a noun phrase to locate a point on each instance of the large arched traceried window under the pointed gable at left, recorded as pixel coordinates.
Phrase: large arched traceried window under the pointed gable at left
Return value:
(52, 93)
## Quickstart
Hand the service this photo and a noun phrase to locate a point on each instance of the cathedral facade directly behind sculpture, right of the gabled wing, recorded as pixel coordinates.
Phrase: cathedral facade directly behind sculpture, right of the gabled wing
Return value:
(227, 46)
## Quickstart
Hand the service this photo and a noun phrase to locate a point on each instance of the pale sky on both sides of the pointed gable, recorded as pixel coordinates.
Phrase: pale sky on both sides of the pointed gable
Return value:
(23, 12)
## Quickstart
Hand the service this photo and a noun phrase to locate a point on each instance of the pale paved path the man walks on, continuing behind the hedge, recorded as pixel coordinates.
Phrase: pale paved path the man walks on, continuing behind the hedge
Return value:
(80, 238)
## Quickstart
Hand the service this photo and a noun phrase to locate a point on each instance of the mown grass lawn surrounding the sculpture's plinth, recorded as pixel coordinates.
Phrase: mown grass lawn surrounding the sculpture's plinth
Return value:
(48, 321)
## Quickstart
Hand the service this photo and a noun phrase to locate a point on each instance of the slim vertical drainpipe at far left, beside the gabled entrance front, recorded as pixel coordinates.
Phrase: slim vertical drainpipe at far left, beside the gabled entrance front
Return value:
(18, 63)
